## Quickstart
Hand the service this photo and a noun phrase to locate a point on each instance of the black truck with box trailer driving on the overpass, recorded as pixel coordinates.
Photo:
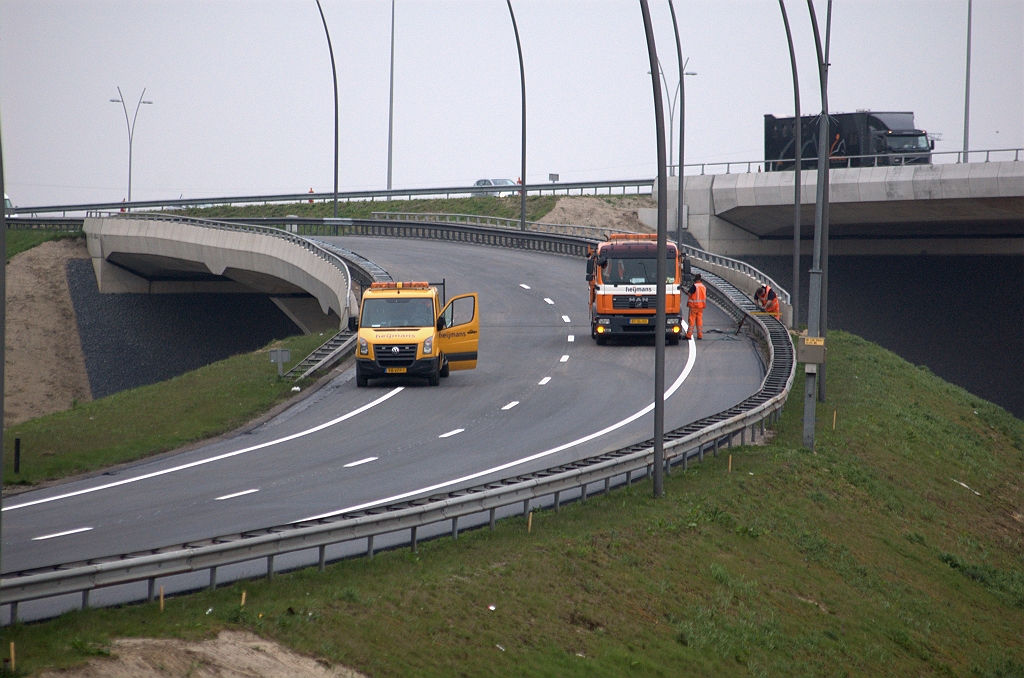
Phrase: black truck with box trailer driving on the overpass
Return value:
(865, 139)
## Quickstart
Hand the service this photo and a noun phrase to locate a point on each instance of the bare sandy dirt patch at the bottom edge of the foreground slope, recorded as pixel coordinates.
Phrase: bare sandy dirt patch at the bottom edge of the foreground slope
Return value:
(232, 655)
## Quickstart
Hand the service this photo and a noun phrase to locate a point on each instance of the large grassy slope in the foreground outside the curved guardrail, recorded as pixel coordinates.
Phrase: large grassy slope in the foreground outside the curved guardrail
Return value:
(866, 559)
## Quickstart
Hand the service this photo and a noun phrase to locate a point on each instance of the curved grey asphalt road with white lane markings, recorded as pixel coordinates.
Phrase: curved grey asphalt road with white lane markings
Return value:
(544, 394)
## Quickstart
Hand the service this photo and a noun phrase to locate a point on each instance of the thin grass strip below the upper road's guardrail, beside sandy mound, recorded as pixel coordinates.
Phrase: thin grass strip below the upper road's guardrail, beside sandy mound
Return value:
(508, 207)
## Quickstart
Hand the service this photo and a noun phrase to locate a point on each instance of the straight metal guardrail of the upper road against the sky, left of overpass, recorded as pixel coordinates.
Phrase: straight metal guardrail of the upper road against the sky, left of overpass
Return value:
(623, 187)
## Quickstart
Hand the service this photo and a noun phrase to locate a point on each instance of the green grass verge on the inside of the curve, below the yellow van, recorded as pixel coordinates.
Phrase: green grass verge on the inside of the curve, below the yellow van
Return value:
(146, 421)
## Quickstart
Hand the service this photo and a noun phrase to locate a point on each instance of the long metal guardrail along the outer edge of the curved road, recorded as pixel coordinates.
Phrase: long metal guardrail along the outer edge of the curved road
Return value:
(571, 481)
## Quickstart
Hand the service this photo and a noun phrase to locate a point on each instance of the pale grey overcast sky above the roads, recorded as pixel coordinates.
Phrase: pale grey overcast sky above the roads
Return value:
(243, 97)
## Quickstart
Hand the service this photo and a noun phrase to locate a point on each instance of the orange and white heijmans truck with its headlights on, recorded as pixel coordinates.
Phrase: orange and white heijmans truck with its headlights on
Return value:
(623, 281)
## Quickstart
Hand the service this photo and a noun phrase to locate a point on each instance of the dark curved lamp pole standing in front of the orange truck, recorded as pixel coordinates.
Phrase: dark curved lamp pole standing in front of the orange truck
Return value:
(663, 207)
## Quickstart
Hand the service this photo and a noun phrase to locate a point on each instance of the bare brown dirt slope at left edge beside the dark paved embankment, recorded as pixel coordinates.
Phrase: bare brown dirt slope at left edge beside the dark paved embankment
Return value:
(46, 369)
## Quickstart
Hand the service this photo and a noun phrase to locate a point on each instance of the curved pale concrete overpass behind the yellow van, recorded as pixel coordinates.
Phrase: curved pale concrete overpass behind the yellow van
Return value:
(153, 256)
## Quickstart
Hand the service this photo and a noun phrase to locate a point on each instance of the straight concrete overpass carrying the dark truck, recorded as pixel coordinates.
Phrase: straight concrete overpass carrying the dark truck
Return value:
(967, 208)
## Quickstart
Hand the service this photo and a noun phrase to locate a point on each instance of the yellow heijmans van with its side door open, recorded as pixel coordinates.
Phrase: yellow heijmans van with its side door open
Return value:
(407, 330)
